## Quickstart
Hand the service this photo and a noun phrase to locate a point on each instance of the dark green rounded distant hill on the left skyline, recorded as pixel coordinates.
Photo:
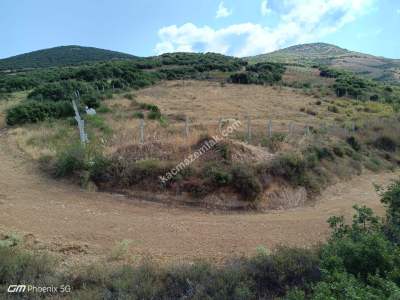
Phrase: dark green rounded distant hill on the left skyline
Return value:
(60, 56)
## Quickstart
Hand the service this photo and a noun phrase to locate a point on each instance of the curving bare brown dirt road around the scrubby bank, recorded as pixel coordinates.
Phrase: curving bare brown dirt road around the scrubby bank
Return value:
(68, 220)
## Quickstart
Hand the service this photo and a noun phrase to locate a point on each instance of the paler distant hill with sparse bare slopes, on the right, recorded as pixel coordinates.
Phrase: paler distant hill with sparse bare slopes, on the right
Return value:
(375, 67)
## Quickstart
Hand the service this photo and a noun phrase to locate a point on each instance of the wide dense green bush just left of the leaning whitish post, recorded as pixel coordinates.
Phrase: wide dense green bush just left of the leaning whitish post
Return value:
(32, 112)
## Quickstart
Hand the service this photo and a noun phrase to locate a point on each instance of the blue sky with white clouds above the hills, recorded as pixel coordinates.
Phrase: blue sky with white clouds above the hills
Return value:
(240, 28)
